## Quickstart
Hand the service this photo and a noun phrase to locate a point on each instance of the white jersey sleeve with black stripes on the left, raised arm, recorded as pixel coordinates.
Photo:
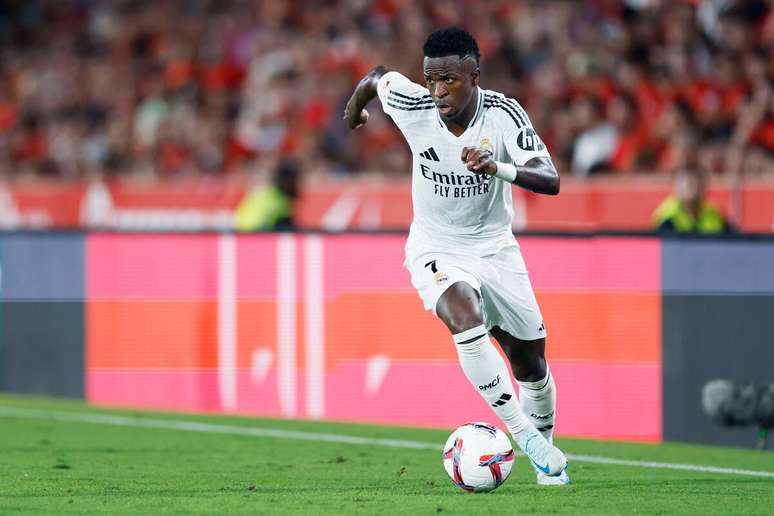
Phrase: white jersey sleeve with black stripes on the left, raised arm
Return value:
(402, 99)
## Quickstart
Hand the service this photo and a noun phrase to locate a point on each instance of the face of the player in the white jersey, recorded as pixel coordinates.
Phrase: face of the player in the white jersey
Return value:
(452, 82)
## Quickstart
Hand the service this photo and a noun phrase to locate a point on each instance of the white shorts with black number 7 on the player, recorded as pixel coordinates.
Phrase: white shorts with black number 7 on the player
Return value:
(500, 279)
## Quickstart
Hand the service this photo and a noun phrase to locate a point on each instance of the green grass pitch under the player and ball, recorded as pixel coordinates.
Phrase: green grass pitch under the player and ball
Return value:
(65, 457)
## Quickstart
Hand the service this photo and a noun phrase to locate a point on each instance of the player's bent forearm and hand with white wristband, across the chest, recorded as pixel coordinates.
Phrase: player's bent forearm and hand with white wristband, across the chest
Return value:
(537, 174)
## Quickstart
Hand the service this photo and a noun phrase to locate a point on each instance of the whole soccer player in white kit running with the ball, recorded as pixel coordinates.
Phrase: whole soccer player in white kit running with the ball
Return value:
(469, 146)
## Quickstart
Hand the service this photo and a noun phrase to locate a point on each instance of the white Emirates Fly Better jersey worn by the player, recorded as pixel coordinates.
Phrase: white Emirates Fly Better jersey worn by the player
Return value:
(457, 211)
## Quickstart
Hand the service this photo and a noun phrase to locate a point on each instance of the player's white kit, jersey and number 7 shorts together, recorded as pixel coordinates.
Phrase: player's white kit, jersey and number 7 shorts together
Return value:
(461, 230)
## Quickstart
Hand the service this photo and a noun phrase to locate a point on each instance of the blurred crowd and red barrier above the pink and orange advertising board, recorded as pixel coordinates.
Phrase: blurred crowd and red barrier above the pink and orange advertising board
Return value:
(167, 114)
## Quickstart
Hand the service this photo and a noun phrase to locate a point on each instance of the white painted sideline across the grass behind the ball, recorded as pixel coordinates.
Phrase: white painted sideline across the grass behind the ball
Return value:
(194, 426)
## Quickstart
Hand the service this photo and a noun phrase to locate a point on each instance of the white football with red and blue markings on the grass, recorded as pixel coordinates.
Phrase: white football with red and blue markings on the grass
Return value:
(478, 457)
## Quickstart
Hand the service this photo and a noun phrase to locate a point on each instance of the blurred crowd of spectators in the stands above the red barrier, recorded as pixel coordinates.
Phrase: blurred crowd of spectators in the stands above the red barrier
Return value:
(178, 88)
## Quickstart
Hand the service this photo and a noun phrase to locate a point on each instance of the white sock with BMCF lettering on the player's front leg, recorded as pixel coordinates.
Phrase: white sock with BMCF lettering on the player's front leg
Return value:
(486, 370)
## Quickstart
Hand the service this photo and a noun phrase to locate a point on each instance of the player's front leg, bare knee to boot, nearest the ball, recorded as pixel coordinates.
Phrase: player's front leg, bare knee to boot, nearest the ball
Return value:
(459, 307)
